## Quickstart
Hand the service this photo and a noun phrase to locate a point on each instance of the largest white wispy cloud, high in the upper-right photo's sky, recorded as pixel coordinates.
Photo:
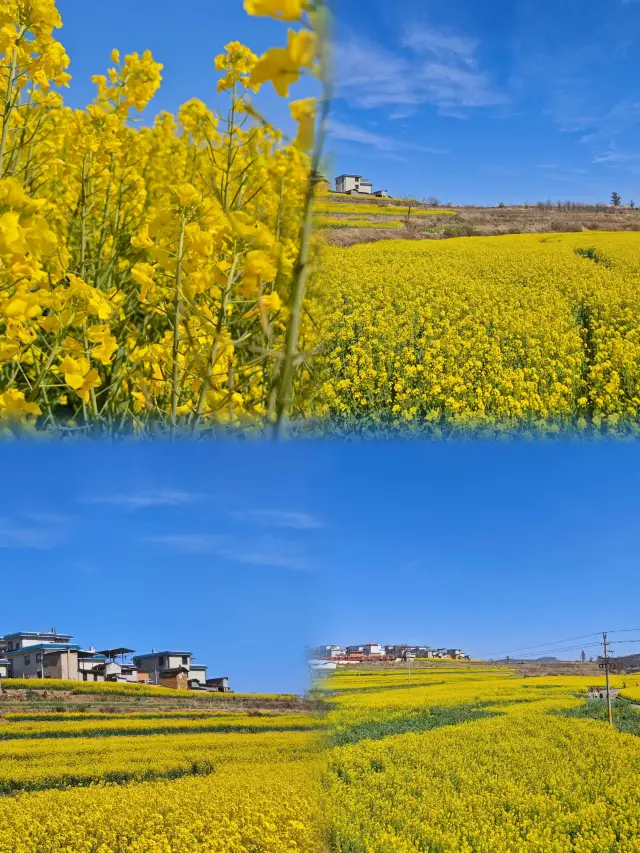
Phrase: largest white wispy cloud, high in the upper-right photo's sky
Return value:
(430, 66)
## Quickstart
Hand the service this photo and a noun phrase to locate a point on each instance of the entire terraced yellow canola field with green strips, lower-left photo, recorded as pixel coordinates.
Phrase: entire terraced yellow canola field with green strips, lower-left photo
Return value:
(230, 782)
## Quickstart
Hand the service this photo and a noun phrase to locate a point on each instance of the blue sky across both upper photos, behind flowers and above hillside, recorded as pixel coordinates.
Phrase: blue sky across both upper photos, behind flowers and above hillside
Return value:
(512, 100)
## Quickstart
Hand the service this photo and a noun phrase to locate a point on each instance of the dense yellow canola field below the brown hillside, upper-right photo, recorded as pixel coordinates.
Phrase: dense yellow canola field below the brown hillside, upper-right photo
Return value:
(514, 332)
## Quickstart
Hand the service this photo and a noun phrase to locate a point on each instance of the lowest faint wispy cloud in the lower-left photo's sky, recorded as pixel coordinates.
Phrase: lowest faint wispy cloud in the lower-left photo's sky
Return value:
(267, 552)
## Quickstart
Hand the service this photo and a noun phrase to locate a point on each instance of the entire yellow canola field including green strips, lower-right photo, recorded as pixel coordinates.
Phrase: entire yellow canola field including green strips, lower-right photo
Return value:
(475, 761)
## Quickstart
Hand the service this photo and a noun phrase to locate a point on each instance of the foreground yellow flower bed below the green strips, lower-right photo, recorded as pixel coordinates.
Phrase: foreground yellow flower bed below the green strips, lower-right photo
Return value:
(537, 784)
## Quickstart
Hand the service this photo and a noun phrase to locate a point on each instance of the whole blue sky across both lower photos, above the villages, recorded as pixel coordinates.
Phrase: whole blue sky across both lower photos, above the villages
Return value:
(247, 552)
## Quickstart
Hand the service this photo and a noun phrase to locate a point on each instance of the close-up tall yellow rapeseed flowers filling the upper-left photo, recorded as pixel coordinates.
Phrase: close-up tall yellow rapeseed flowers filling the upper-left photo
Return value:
(148, 275)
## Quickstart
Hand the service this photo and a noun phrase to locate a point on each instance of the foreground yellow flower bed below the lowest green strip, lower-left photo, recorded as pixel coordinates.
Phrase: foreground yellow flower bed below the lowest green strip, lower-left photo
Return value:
(268, 808)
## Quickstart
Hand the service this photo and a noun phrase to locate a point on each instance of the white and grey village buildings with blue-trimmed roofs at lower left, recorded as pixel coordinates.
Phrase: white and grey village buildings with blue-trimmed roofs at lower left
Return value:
(50, 654)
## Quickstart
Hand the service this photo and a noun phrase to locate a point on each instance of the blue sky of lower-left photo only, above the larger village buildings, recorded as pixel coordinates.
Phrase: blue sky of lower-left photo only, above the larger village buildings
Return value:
(206, 548)
